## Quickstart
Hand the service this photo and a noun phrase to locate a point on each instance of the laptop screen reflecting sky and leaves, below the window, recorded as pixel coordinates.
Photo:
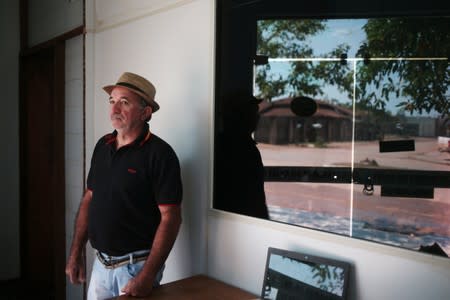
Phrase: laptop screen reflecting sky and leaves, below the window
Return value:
(292, 275)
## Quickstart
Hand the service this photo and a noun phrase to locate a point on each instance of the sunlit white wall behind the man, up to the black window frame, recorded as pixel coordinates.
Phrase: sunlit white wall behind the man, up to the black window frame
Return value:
(173, 48)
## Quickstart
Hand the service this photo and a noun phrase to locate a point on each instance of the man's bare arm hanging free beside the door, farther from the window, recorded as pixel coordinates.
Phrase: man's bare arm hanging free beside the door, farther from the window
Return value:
(75, 267)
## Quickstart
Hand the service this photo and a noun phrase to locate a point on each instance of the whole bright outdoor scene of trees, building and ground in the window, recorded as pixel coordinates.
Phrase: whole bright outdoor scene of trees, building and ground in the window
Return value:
(373, 161)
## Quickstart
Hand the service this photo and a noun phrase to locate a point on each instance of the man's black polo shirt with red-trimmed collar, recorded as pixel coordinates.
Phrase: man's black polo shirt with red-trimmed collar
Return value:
(128, 185)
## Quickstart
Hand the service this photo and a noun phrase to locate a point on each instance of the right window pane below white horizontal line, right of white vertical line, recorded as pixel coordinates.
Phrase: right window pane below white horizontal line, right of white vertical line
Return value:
(399, 135)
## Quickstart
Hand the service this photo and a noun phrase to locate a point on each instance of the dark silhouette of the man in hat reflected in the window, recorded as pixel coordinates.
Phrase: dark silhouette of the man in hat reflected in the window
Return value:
(239, 184)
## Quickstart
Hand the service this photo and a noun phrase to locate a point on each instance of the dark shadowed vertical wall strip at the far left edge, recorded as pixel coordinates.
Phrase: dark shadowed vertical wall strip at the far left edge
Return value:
(9, 150)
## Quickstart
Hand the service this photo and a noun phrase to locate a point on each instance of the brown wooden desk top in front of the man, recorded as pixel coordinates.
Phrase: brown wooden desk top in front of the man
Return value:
(197, 287)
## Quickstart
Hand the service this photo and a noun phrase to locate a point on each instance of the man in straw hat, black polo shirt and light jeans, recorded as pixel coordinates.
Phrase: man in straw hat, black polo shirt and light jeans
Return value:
(131, 210)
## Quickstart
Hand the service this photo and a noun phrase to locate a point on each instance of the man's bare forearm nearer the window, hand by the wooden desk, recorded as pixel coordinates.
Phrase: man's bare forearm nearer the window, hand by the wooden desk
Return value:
(165, 237)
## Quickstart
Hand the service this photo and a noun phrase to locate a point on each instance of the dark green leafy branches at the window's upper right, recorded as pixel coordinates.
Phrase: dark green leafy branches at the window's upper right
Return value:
(423, 85)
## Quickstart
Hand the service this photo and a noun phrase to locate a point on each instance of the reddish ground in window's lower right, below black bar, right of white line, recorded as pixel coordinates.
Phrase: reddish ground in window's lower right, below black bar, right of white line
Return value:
(405, 222)
